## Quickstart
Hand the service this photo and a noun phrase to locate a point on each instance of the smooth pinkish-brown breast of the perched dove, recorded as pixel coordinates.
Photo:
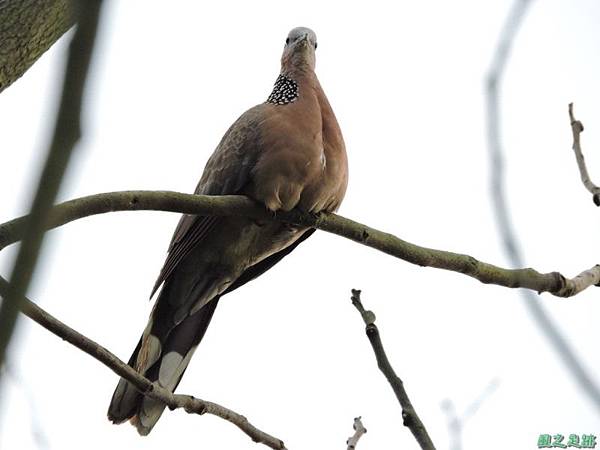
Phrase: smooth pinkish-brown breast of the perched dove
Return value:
(302, 160)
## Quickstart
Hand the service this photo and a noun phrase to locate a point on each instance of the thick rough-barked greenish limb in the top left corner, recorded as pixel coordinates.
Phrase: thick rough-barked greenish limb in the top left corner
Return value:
(27, 29)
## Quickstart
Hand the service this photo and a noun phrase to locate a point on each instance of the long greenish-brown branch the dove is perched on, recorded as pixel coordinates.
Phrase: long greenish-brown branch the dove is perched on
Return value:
(66, 212)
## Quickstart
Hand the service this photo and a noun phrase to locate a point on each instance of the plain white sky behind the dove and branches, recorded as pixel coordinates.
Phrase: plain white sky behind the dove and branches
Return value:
(288, 350)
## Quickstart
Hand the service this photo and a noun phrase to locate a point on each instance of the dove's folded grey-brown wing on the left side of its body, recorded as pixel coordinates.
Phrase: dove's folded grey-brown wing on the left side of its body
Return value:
(226, 173)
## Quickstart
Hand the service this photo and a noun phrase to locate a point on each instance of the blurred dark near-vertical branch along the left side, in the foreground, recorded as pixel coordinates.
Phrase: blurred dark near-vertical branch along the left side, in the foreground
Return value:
(66, 134)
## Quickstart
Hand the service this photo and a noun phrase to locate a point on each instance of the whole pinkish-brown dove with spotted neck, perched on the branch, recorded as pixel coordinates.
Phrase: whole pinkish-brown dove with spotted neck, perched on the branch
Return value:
(285, 153)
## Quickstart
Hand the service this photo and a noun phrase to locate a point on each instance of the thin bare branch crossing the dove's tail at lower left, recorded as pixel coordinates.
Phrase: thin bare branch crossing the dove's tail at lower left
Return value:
(173, 401)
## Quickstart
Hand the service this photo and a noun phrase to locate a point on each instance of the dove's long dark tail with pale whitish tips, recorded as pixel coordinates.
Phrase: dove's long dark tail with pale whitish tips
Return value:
(160, 359)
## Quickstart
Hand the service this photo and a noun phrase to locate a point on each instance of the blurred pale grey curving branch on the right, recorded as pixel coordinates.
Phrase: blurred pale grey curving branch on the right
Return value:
(508, 235)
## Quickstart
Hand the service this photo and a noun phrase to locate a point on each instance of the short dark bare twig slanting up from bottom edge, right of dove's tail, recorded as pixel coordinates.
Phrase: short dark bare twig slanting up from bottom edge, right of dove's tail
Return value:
(409, 415)
